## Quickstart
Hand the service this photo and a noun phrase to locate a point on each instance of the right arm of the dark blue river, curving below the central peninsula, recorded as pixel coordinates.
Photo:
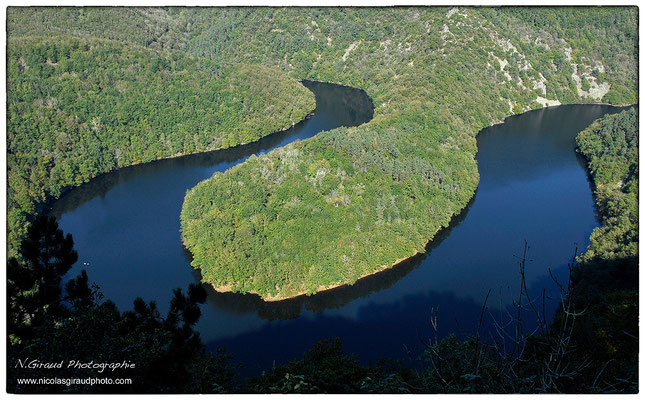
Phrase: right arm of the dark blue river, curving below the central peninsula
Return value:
(532, 188)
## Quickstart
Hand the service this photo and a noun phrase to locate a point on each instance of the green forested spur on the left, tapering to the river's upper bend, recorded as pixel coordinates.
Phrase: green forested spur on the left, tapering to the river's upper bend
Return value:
(78, 108)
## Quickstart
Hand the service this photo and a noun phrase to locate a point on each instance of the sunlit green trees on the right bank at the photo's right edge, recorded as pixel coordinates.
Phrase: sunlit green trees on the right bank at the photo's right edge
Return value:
(610, 146)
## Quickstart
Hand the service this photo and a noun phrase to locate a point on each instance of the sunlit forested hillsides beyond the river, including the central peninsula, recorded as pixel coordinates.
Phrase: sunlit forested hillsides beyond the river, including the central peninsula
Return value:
(112, 87)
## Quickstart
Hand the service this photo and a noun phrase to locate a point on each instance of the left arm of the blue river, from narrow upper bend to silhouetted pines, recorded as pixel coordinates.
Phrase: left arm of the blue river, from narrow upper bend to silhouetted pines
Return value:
(126, 226)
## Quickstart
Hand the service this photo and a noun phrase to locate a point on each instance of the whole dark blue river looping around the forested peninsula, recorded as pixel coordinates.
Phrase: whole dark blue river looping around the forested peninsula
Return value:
(533, 187)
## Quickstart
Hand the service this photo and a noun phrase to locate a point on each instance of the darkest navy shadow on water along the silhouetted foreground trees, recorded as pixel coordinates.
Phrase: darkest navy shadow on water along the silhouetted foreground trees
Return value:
(395, 330)
